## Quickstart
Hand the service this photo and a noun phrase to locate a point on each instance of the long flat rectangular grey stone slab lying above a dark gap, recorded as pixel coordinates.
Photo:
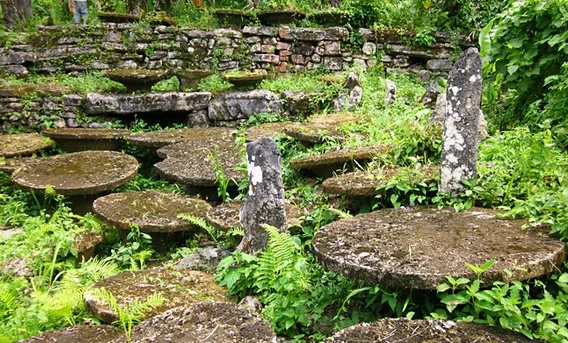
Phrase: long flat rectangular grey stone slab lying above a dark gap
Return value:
(154, 102)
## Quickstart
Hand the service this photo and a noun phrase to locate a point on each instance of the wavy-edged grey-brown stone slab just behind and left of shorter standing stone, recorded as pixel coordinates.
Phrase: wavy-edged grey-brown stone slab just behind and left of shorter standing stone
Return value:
(195, 166)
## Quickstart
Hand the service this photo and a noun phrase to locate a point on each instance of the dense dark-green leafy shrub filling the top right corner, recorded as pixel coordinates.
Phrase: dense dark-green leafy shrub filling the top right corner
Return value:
(525, 48)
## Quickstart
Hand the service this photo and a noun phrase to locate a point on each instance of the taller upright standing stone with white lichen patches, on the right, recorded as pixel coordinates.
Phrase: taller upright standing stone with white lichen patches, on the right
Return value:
(463, 101)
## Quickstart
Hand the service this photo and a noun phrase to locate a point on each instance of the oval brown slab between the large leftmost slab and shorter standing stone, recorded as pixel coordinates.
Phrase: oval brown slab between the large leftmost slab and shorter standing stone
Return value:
(150, 211)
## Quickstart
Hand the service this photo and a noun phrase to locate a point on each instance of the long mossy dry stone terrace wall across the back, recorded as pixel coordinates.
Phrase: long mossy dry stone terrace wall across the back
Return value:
(283, 49)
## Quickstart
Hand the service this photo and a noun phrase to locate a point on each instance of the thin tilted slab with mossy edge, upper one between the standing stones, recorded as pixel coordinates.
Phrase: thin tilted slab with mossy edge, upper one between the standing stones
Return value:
(327, 163)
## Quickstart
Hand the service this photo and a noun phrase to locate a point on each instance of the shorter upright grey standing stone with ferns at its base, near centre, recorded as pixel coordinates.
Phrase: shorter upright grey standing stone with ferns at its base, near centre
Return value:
(265, 202)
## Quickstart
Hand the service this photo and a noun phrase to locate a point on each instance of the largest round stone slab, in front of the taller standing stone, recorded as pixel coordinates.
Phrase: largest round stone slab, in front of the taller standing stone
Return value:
(418, 247)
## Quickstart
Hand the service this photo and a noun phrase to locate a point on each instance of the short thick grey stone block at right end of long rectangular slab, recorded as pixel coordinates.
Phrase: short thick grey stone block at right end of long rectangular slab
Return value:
(242, 105)
